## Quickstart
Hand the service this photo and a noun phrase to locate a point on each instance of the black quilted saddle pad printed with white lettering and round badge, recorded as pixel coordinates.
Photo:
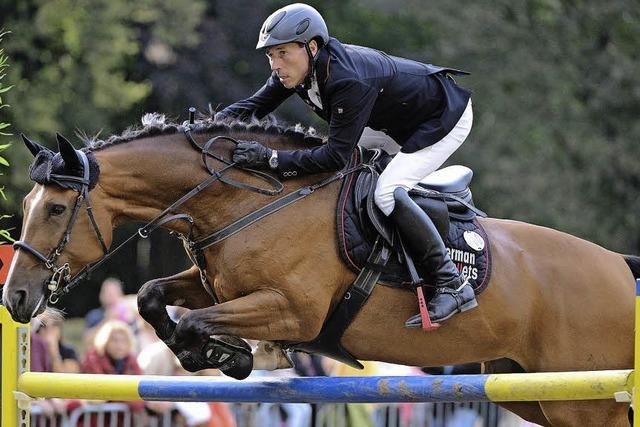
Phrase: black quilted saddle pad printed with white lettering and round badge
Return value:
(463, 235)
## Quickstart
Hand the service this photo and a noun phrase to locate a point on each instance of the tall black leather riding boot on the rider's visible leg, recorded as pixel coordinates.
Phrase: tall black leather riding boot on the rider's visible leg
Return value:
(453, 293)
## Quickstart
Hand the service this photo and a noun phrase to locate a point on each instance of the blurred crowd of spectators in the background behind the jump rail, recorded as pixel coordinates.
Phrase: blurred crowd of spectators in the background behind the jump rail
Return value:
(116, 340)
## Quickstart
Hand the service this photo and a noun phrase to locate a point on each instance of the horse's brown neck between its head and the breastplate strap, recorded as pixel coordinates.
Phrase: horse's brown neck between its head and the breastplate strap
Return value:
(143, 177)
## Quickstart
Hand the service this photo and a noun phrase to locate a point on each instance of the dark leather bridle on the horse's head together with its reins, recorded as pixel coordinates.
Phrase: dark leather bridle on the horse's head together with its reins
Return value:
(61, 282)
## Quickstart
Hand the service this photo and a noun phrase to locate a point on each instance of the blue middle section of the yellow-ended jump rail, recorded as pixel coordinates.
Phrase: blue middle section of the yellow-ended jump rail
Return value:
(443, 388)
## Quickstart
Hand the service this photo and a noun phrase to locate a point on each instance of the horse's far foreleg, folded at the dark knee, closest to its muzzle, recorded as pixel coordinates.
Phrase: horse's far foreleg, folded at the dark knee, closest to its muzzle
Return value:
(183, 289)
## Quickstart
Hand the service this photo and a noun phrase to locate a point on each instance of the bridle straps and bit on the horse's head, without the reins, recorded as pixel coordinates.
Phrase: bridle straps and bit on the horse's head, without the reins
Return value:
(62, 273)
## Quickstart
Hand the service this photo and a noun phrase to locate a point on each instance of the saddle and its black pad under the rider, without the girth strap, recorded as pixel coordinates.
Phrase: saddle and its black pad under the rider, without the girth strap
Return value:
(445, 196)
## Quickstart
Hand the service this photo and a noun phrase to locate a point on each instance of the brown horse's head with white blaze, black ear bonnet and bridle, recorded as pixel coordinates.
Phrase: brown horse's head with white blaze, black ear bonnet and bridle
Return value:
(59, 237)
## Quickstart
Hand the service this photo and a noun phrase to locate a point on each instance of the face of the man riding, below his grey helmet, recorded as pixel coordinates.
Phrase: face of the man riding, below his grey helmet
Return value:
(290, 62)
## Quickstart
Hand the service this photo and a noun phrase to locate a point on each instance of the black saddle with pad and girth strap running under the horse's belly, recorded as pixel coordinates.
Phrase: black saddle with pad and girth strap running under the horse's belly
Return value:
(370, 246)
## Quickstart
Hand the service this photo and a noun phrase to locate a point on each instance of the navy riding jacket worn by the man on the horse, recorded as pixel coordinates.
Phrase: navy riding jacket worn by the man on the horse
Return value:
(415, 104)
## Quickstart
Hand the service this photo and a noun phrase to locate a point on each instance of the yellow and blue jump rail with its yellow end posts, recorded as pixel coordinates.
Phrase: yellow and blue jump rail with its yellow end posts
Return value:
(19, 385)
